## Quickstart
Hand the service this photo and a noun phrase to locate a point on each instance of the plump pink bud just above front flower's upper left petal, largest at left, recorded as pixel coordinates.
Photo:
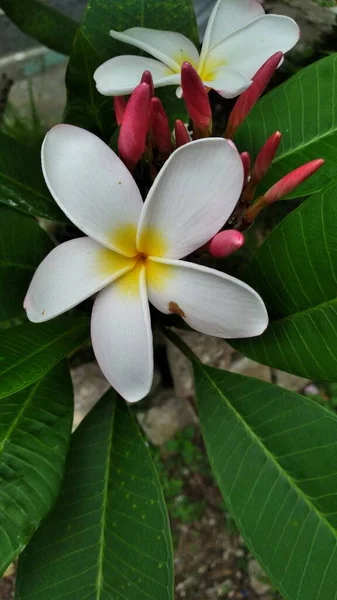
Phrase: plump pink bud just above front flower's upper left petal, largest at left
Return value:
(135, 125)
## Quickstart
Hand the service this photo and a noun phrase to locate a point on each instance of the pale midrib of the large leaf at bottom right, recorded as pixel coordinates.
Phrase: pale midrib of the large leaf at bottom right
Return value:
(266, 451)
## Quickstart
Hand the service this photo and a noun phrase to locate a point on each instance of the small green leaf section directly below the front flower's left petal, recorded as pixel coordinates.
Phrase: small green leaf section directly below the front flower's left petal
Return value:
(29, 351)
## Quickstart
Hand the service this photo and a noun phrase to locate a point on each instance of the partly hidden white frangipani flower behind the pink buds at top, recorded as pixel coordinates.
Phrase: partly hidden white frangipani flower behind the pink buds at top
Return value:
(239, 38)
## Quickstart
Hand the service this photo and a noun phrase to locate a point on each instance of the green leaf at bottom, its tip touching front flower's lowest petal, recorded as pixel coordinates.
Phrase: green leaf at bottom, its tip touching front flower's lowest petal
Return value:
(108, 536)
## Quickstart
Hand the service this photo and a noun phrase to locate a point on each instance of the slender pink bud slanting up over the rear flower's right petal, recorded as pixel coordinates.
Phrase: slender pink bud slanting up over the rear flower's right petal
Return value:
(248, 99)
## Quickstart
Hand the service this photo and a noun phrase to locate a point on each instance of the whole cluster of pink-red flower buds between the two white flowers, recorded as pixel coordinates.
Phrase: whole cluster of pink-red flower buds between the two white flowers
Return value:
(144, 128)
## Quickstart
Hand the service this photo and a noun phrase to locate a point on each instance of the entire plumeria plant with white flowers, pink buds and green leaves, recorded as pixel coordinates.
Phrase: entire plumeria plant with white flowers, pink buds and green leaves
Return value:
(118, 231)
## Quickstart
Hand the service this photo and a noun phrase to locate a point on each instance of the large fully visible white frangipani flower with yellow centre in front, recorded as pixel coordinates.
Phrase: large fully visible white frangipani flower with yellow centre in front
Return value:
(133, 250)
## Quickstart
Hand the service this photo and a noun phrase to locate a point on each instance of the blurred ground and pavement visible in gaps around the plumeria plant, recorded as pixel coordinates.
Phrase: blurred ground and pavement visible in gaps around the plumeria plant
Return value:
(211, 559)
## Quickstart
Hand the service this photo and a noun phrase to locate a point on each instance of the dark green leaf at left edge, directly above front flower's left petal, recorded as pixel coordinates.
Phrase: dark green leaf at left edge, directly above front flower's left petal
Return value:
(23, 245)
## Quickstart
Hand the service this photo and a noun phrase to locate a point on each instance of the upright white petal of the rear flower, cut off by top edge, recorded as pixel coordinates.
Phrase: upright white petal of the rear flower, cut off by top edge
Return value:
(227, 16)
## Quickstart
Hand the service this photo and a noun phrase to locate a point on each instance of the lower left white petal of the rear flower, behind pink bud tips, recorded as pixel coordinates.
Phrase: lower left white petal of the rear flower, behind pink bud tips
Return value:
(120, 75)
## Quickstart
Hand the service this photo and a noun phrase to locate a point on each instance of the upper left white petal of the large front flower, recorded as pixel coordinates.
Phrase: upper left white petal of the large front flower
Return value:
(92, 186)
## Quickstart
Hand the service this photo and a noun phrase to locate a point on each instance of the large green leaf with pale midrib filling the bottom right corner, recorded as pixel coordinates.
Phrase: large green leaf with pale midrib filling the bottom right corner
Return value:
(274, 455)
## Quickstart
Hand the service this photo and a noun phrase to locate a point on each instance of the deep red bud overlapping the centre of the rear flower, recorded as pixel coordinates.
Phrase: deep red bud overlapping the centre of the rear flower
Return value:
(196, 98)
